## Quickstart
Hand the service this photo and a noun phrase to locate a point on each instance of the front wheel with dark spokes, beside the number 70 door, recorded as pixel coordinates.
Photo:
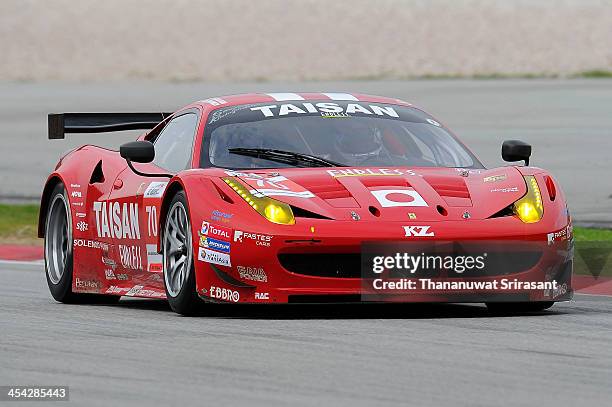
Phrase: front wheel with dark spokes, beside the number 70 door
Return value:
(182, 297)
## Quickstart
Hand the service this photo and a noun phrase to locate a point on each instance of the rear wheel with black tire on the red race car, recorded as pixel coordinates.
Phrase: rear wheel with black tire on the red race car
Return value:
(58, 252)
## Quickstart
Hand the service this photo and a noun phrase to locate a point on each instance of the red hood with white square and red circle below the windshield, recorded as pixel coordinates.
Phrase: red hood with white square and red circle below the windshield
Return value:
(393, 193)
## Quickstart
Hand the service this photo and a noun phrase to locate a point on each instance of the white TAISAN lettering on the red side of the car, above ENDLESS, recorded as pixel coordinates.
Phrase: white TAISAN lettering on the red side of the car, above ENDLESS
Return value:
(117, 221)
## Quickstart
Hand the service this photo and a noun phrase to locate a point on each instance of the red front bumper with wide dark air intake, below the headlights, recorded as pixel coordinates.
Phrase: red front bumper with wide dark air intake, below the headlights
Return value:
(324, 262)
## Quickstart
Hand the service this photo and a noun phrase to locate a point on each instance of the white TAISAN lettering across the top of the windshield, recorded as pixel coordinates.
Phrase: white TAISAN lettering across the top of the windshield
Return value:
(325, 108)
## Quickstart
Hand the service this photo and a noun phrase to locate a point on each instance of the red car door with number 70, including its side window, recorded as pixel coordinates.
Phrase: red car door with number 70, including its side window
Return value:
(137, 199)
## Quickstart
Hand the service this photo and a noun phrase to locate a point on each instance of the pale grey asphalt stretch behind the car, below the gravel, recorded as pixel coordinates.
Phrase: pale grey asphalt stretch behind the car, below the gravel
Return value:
(568, 122)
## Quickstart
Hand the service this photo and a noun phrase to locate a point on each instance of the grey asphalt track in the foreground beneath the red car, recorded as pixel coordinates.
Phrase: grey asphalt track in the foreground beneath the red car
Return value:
(138, 352)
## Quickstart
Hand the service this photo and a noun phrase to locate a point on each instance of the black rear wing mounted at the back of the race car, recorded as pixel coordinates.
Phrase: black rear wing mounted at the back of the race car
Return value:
(62, 123)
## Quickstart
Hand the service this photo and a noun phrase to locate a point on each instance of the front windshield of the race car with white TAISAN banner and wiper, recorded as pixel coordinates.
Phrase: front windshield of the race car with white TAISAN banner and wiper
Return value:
(355, 134)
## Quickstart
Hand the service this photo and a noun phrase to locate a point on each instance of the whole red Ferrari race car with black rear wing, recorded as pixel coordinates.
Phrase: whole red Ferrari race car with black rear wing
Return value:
(310, 198)
